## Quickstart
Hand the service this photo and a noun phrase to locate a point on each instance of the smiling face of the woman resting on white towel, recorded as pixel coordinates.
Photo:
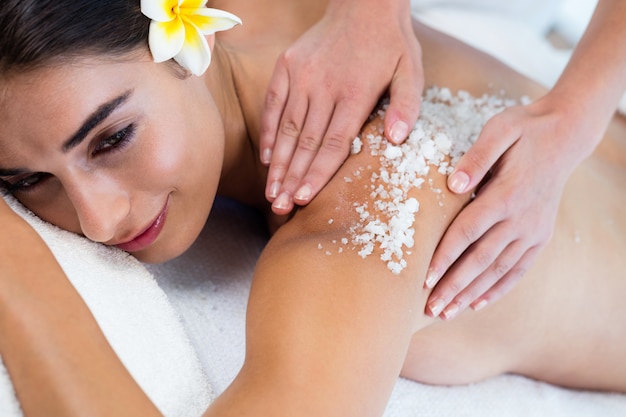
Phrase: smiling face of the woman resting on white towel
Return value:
(124, 153)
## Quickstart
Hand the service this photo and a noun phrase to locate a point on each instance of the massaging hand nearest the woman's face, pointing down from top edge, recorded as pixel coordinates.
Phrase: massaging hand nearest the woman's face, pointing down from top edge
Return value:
(324, 88)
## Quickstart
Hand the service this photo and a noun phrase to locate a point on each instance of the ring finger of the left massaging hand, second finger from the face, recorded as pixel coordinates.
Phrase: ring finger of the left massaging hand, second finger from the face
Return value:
(286, 142)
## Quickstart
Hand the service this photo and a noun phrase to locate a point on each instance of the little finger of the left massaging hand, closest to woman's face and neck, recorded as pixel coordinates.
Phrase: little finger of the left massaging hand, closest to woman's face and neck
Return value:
(273, 107)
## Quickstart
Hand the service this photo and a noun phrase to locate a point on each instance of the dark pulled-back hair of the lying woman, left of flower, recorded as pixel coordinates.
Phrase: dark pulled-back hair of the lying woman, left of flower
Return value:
(34, 33)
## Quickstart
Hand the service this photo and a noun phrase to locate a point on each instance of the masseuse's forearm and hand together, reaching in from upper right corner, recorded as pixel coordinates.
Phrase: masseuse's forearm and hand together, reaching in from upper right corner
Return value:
(490, 246)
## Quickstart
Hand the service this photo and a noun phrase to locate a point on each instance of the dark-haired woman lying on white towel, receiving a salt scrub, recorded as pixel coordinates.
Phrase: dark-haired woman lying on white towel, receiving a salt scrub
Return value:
(131, 153)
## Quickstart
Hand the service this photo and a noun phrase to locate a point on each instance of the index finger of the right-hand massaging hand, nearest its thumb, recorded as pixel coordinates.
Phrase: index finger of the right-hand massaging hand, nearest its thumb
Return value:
(470, 224)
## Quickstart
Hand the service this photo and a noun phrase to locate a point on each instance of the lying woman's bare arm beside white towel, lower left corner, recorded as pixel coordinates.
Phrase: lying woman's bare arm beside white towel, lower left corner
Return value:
(57, 357)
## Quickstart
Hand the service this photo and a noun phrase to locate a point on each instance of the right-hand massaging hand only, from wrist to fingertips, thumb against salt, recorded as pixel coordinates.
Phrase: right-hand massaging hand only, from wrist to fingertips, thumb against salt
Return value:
(530, 150)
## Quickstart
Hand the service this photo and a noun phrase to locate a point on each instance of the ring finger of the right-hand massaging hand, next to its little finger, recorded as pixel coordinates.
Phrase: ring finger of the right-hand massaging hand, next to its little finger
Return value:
(500, 268)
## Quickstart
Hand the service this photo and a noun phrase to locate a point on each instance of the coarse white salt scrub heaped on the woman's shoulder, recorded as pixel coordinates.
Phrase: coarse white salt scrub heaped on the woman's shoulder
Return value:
(448, 125)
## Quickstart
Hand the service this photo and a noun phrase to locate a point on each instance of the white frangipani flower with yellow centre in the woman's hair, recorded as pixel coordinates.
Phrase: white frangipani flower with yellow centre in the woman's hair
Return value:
(178, 31)
